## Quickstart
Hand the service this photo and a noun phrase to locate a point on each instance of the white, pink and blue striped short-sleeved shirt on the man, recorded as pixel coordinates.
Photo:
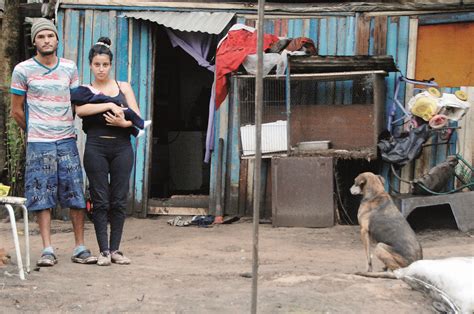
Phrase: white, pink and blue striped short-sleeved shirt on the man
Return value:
(48, 110)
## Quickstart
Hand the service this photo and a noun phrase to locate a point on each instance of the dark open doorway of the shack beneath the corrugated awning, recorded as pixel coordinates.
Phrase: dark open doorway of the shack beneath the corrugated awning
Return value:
(182, 92)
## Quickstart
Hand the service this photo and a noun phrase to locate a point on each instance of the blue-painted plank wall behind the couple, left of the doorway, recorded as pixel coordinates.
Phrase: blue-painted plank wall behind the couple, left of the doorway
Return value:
(132, 47)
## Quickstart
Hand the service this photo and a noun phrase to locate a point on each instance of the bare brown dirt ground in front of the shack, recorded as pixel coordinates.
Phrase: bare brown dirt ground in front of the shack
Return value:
(203, 270)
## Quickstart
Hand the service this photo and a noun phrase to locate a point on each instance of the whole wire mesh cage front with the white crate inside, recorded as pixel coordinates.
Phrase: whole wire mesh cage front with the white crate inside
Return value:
(344, 109)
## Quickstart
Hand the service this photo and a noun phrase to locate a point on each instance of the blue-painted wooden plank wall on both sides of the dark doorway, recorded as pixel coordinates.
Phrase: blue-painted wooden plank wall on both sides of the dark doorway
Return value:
(350, 34)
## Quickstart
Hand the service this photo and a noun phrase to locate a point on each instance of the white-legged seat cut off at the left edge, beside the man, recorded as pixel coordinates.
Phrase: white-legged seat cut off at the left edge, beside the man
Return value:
(9, 202)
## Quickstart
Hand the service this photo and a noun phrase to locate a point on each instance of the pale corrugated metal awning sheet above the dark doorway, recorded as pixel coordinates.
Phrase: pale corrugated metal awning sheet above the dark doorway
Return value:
(205, 22)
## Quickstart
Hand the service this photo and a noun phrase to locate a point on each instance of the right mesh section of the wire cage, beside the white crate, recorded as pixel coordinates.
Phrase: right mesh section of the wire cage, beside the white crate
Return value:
(339, 109)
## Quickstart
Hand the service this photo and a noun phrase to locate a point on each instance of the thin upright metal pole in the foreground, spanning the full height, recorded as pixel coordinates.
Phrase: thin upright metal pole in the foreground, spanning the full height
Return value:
(258, 151)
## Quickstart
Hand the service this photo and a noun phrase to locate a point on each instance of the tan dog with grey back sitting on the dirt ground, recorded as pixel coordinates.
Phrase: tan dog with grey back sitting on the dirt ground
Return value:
(382, 223)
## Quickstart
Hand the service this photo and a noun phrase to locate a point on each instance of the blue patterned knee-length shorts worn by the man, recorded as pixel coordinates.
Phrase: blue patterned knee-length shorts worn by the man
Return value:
(53, 172)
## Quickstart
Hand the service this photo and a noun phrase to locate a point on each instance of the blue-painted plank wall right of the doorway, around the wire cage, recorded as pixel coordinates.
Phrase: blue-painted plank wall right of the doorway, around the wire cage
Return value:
(333, 35)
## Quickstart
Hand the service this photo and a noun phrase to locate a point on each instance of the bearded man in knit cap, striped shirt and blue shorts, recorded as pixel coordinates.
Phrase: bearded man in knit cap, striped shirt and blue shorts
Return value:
(41, 106)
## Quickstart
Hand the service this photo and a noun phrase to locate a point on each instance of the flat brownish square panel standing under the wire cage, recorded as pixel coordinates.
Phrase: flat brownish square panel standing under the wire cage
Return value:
(302, 192)
